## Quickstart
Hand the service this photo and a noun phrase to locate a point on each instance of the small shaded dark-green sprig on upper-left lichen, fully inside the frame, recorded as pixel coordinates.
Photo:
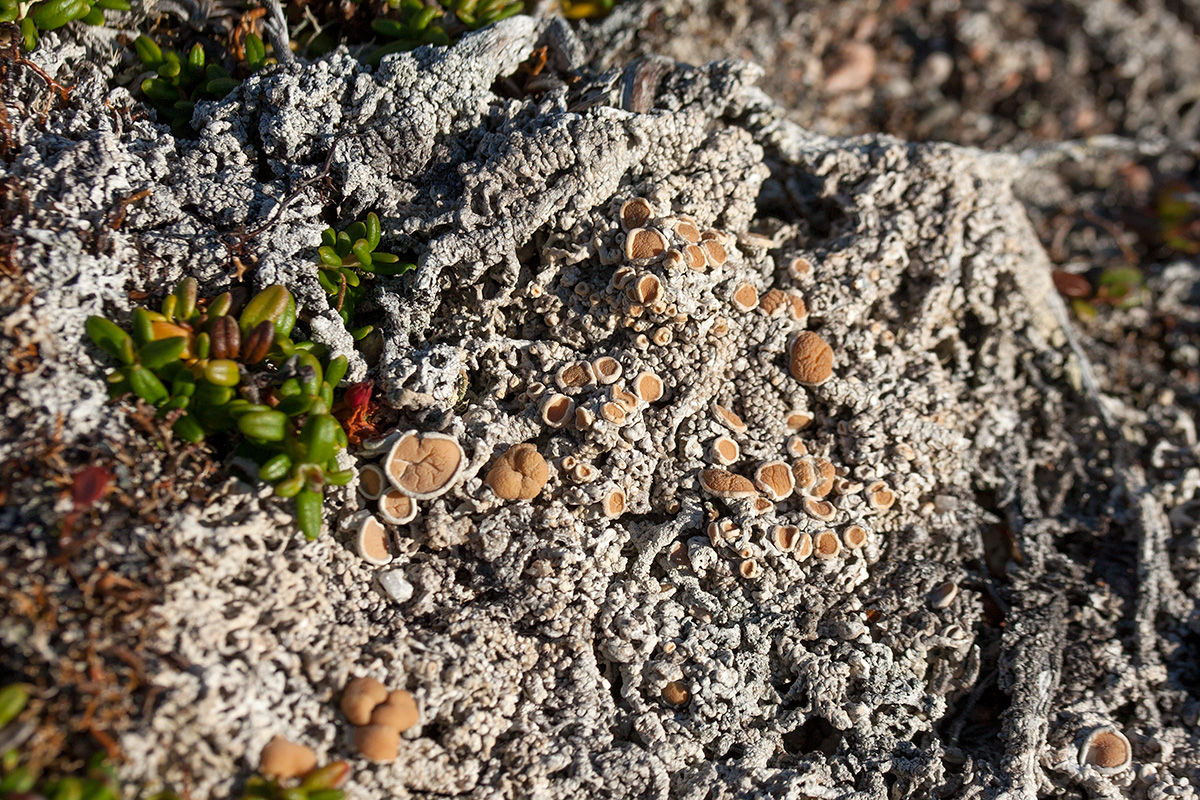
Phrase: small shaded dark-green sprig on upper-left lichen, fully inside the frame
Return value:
(183, 82)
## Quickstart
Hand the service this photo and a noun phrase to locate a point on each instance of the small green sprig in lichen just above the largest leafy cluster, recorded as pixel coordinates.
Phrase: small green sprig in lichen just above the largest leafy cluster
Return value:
(345, 258)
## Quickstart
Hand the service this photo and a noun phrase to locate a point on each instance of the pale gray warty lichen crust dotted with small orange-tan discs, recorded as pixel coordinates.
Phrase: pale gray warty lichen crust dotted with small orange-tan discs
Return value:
(676, 643)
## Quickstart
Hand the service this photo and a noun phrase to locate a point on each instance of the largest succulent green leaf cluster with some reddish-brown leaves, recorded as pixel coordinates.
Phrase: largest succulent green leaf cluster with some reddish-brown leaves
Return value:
(244, 377)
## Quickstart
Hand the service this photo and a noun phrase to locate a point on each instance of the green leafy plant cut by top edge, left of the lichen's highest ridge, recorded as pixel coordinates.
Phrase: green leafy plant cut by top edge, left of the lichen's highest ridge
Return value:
(416, 23)
